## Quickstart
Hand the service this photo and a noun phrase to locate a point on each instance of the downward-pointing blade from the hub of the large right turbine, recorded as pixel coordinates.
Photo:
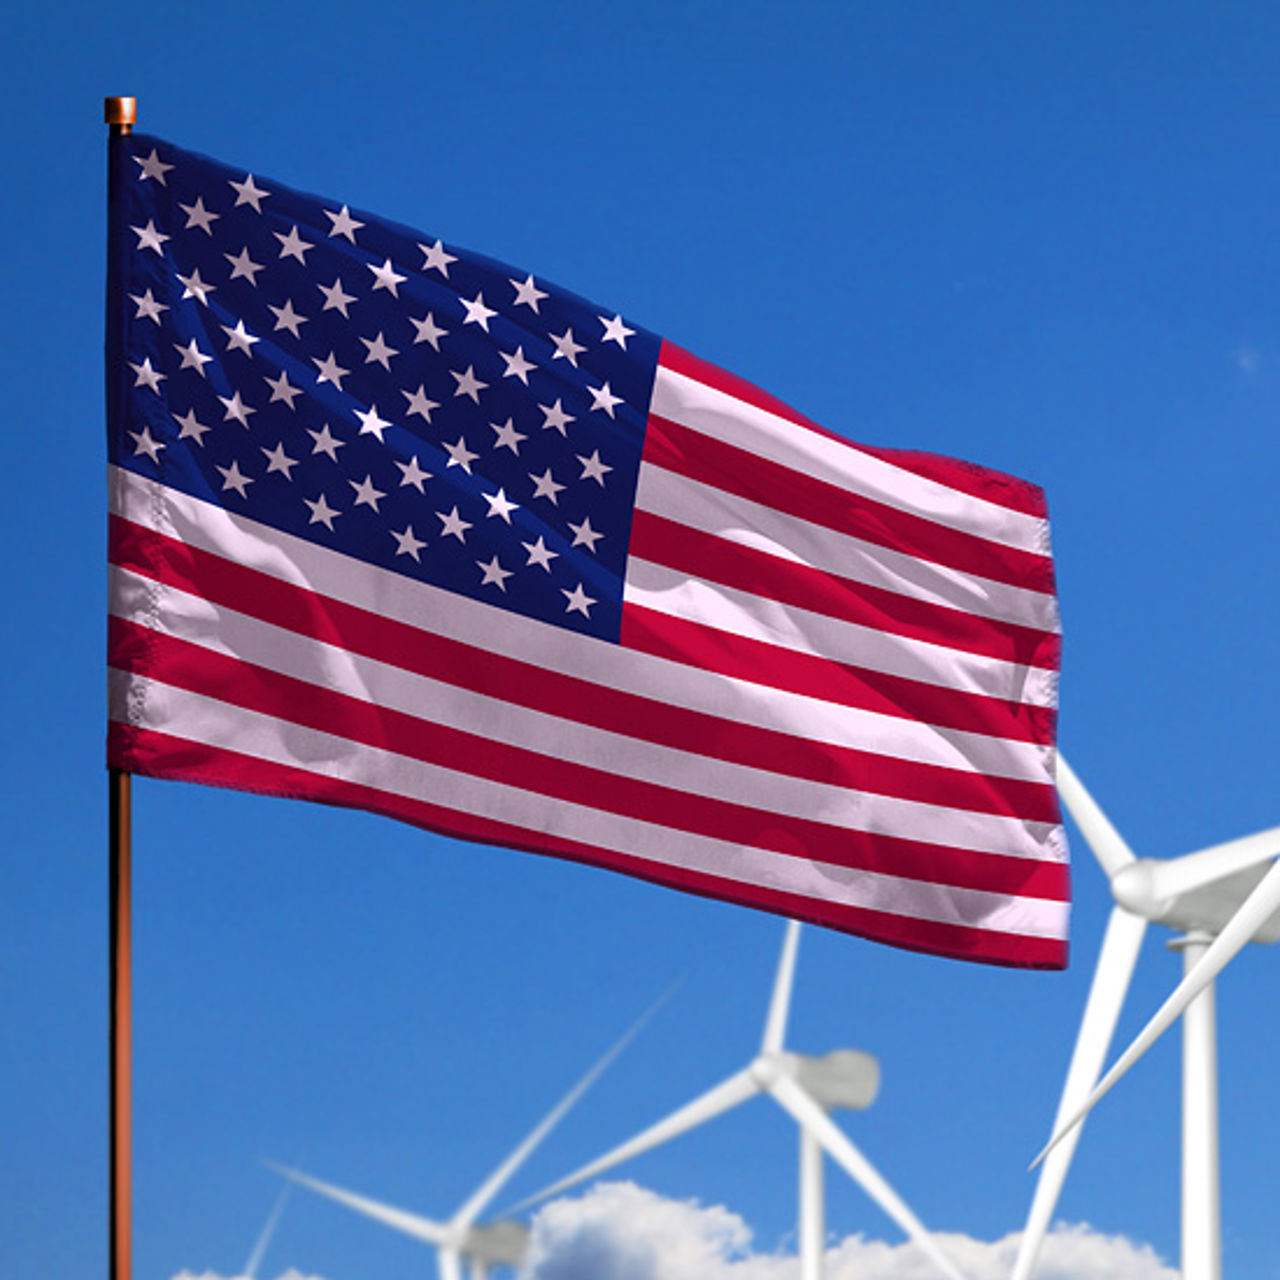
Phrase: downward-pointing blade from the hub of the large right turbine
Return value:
(1110, 985)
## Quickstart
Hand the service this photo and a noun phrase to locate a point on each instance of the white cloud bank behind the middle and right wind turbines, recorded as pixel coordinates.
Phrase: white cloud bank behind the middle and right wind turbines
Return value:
(623, 1232)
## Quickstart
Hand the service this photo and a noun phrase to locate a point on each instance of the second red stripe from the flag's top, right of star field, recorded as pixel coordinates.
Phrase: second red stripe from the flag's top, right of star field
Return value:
(712, 463)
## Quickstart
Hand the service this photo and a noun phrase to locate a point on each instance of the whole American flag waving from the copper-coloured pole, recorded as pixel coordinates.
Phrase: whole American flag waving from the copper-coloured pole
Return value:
(401, 528)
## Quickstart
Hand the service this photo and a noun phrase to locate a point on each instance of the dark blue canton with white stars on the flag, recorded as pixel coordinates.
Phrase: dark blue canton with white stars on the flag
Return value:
(372, 390)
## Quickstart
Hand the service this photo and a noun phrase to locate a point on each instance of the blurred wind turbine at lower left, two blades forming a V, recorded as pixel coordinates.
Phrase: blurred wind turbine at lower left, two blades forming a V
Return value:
(483, 1245)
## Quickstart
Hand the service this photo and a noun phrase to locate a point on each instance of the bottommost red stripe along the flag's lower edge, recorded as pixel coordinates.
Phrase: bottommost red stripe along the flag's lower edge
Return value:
(167, 757)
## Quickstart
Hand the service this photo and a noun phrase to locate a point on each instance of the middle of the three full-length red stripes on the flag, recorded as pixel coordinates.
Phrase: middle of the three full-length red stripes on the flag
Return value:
(291, 701)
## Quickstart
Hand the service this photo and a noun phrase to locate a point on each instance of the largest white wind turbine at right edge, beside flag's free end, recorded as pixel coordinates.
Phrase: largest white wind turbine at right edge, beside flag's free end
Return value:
(1199, 897)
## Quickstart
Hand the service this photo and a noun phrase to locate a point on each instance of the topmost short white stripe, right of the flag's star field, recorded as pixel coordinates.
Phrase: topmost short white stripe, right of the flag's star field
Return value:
(757, 431)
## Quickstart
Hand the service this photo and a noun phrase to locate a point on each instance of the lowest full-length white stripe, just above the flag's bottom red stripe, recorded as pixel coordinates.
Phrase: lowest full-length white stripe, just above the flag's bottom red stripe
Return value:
(166, 710)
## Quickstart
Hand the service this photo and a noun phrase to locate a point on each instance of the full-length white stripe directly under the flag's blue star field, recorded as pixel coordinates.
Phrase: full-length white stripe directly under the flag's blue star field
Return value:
(392, 596)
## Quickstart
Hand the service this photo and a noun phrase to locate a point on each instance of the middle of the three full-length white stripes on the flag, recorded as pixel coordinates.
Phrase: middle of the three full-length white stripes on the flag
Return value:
(237, 636)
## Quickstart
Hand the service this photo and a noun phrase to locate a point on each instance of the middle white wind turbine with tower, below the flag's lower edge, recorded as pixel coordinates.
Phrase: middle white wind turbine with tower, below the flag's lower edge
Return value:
(807, 1089)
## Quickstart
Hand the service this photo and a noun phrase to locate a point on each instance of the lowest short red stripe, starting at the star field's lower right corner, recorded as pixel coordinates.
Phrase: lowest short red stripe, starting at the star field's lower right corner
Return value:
(696, 646)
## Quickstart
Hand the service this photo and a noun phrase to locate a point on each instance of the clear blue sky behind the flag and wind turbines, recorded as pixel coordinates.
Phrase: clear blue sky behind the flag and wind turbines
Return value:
(1039, 237)
